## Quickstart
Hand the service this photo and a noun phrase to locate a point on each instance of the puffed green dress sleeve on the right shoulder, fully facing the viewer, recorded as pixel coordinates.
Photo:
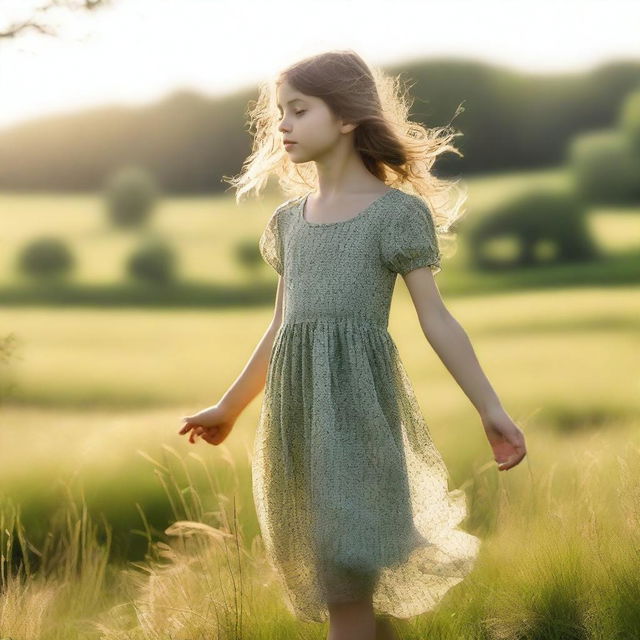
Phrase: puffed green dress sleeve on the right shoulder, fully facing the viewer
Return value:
(409, 240)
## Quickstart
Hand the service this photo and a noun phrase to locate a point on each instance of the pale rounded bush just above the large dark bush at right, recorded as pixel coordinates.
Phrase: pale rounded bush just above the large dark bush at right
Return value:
(605, 167)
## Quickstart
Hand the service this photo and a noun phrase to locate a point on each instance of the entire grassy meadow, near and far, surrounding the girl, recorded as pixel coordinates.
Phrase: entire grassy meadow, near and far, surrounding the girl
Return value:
(127, 531)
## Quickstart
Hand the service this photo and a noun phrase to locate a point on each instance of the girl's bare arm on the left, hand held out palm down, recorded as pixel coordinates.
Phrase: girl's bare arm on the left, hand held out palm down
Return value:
(214, 423)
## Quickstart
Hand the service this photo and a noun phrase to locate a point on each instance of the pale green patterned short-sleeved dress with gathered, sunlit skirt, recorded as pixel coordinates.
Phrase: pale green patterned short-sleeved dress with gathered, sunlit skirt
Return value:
(350, 491)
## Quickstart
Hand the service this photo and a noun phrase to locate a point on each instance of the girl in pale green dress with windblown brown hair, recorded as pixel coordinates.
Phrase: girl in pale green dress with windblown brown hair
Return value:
(350, 491)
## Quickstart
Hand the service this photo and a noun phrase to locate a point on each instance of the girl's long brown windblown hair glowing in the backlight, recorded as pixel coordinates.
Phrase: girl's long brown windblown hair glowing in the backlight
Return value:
(396, 150)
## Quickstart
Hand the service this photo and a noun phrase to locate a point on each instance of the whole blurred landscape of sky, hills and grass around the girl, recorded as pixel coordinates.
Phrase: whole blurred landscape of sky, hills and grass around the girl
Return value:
(132, 292)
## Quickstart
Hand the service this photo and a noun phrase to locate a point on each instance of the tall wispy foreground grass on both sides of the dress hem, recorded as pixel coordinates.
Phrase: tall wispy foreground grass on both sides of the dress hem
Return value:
(560, 560)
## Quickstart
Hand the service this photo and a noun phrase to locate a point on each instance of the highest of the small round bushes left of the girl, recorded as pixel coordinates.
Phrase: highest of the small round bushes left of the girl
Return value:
(131, 195)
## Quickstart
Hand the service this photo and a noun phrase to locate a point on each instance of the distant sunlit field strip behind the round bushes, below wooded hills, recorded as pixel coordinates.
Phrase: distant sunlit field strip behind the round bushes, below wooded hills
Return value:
(204, 231)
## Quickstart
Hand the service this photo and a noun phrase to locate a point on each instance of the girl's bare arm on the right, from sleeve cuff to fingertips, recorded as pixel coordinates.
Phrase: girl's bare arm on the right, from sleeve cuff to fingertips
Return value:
(450, 341)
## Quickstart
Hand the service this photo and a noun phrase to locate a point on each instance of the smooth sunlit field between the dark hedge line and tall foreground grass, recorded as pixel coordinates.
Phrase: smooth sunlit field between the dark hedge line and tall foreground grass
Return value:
(91, 387)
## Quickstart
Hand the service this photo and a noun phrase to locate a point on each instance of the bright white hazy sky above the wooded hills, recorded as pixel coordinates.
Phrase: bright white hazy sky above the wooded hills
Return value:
(136, 52)
